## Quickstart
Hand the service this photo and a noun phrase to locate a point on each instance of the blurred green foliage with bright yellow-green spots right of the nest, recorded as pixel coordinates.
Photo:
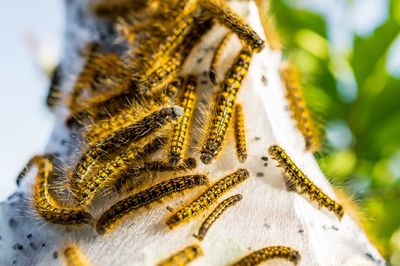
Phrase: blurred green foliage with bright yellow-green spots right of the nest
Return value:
(360, 104)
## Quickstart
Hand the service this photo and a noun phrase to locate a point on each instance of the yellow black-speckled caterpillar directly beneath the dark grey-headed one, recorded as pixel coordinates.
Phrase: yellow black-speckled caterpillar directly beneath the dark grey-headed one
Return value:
(111, 171)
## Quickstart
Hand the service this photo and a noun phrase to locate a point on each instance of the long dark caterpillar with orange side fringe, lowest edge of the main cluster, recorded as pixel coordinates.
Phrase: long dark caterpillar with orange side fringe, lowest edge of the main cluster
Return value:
(121, 209)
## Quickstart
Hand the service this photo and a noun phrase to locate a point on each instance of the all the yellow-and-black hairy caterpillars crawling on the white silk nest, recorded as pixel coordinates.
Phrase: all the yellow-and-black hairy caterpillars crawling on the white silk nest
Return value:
(128, 107)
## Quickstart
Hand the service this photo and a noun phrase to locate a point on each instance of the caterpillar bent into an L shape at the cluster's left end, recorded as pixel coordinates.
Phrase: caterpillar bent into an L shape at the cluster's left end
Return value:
(47, 207)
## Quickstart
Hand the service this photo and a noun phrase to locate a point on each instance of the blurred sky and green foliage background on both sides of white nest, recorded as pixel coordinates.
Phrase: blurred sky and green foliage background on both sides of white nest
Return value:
(348, 54)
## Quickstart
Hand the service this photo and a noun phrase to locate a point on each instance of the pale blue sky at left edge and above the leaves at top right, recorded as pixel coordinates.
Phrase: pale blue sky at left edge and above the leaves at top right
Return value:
(32, 33)
